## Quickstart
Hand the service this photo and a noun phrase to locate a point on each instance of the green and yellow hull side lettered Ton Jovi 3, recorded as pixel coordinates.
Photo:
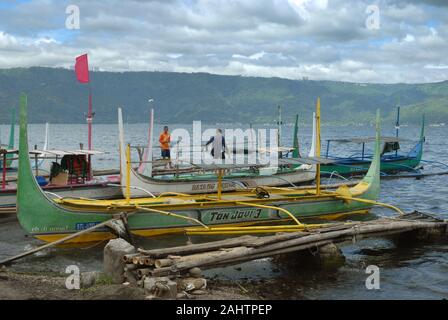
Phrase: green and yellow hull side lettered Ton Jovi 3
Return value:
(149, 224)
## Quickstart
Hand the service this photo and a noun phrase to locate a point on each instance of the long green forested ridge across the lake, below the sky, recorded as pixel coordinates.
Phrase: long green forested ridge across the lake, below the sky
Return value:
(184, 97)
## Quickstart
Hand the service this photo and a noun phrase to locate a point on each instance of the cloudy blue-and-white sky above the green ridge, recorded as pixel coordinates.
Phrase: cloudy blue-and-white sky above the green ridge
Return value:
(384, 41)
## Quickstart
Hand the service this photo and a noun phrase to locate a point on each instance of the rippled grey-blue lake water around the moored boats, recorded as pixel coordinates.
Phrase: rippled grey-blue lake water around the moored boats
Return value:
(407, 271)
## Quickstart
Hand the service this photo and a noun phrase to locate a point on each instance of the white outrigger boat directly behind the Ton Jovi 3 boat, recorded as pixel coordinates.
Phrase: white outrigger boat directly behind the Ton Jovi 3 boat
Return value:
(290, 172)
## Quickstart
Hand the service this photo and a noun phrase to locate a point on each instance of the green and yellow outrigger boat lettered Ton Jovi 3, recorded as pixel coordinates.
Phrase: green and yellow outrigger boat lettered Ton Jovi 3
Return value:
(51, 220)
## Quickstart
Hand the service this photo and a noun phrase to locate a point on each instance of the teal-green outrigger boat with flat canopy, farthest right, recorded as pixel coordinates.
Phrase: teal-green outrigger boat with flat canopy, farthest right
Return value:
(391, 159)
